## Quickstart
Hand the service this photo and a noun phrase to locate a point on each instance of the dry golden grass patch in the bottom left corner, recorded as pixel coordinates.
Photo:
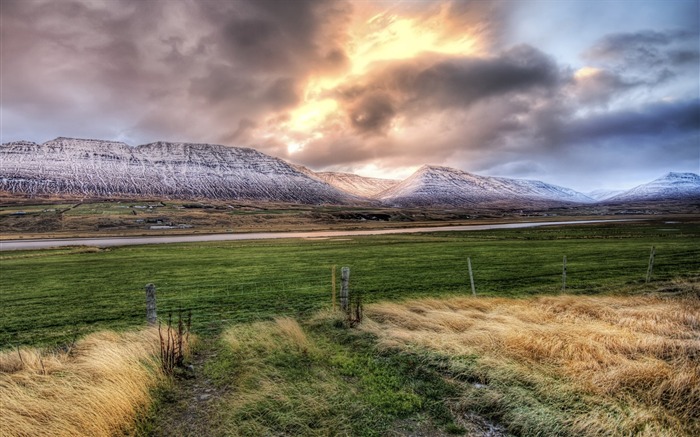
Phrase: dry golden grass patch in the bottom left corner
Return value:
(96, 389)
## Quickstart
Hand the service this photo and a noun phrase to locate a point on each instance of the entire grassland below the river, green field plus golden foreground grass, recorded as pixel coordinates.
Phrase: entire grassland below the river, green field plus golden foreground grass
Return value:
(429, 359)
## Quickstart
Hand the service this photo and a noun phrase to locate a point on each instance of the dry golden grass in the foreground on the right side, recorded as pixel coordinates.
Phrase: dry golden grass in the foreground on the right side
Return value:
(642, 352)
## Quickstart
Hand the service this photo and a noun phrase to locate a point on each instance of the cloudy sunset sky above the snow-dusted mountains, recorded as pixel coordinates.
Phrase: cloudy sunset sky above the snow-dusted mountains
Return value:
(589, 94)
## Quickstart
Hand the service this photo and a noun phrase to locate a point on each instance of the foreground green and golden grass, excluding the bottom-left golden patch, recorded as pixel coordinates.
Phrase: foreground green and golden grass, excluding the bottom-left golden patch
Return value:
(537, 366)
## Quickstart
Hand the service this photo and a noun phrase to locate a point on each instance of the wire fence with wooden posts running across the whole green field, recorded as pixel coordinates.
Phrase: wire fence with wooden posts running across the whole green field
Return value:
(216, 300)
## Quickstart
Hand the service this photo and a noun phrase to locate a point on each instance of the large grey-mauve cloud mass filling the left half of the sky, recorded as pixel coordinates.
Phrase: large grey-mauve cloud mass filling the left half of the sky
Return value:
(160, 69)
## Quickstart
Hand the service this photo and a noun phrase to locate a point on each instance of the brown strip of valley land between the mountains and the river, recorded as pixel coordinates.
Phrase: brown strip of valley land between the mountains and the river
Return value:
(78, 217)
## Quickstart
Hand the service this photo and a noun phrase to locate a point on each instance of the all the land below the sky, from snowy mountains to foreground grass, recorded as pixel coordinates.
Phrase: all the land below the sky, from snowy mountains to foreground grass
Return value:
(243, 255)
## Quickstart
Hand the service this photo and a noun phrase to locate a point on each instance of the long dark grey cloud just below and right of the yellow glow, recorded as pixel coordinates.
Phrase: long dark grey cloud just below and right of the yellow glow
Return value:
(431, 83)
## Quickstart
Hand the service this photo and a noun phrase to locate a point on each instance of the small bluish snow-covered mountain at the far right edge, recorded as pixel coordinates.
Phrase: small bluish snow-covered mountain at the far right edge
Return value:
(672, 186)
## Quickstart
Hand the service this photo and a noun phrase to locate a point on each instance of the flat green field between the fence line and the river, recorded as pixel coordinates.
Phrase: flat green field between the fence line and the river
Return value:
(52, 297)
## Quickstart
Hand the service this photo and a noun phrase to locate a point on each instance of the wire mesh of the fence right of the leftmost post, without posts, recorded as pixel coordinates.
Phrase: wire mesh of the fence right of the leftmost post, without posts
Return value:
(219, 303)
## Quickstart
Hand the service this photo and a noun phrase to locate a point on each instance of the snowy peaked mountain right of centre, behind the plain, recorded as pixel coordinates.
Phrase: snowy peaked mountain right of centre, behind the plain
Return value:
(444, 186)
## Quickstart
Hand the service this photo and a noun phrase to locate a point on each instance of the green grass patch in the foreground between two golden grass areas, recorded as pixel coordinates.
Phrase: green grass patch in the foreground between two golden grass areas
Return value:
(317, 380)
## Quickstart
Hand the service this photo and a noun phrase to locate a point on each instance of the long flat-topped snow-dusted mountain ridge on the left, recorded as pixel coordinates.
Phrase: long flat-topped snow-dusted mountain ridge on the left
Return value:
(161, 169)
